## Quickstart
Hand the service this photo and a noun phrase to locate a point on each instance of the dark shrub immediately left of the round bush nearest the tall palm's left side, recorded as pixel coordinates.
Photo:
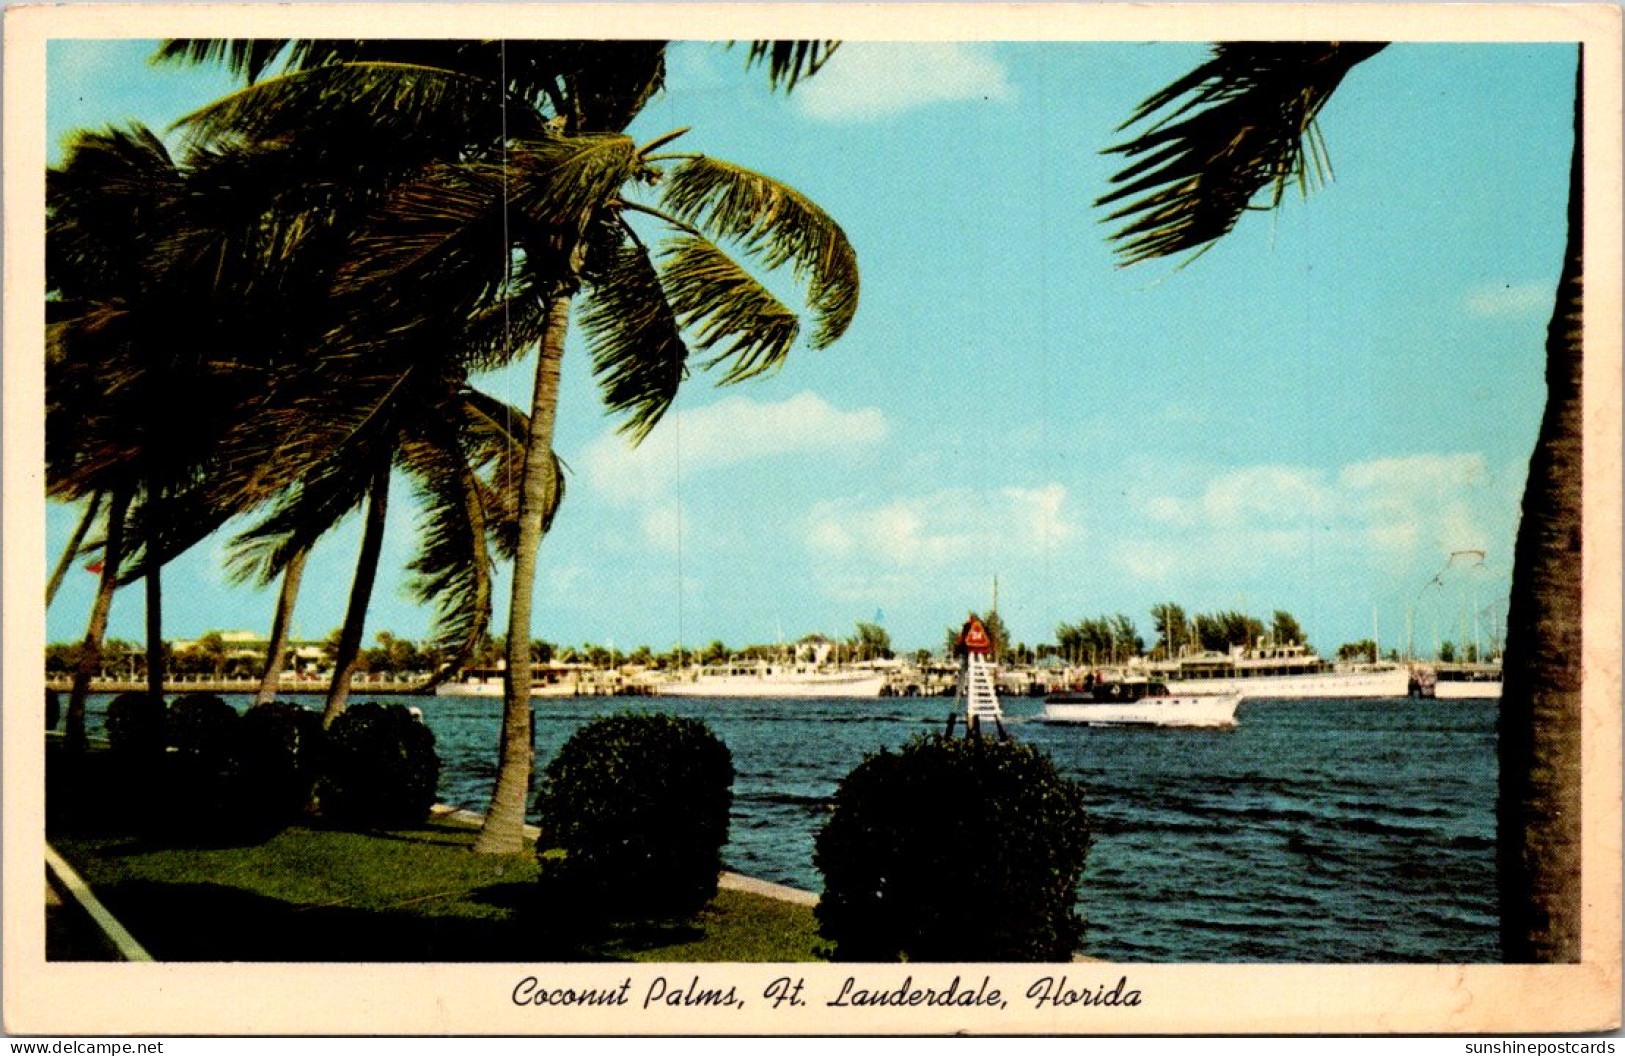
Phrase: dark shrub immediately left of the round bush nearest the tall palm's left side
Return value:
(282, 747)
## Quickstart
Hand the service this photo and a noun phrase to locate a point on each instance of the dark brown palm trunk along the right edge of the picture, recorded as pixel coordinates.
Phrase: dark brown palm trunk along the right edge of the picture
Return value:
(1538, 816)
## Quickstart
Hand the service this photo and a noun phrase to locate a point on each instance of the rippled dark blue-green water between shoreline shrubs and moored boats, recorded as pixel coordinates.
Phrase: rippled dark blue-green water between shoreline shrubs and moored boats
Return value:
(1315, 831)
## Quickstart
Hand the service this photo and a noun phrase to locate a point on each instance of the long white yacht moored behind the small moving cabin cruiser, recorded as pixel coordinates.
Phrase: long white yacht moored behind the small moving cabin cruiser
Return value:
(1288, 672)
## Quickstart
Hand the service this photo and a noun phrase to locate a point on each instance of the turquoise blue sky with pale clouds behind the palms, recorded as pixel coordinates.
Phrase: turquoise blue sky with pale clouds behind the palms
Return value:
(1312, 417)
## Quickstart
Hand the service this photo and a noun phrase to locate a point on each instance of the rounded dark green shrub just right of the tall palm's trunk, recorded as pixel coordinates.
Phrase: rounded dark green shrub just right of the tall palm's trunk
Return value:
(639, 807)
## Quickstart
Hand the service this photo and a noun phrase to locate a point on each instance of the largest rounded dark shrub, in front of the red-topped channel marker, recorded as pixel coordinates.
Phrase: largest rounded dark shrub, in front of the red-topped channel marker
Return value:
(955, 850)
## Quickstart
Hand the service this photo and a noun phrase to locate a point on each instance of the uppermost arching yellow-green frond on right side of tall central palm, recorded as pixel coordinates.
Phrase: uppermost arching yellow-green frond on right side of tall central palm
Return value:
(776, 223)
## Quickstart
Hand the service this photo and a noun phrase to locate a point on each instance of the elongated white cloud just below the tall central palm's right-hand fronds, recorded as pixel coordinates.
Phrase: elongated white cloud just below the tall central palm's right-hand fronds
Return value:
(730, 431)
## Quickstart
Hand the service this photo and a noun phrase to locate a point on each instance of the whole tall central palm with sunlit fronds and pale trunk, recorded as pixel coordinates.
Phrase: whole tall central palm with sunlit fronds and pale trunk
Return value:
(560, 186)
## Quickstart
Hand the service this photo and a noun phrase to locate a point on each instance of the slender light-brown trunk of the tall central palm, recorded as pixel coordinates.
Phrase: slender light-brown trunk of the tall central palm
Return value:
(505, 826)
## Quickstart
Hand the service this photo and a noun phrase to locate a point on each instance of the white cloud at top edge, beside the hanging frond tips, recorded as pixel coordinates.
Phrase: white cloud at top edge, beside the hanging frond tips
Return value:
(867, 82)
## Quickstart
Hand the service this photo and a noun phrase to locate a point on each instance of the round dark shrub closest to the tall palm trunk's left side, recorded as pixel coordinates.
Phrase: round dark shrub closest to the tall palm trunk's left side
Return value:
(379, 769)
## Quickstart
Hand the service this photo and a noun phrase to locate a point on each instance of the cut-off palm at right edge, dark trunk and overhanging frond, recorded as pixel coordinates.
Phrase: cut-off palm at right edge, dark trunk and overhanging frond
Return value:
(1246, 121)
